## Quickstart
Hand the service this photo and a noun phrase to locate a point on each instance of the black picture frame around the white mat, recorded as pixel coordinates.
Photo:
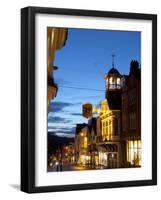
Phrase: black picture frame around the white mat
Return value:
(28, 98)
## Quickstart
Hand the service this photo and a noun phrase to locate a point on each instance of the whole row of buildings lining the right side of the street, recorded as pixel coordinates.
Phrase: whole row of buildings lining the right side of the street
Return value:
(112, 139)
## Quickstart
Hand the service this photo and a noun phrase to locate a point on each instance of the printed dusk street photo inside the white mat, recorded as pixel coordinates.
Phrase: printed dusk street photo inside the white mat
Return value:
(94, 122)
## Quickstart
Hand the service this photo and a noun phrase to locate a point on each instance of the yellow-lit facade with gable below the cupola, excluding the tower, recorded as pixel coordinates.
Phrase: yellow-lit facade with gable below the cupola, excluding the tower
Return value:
(109, 143)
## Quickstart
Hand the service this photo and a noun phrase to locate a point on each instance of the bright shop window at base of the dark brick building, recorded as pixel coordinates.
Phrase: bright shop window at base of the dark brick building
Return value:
(134, 152)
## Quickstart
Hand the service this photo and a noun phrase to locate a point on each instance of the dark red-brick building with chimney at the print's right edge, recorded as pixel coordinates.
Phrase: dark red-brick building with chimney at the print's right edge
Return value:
(131, 114)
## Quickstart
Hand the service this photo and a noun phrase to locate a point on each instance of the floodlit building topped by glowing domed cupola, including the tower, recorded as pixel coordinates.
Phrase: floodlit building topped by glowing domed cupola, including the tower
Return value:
(110, 144)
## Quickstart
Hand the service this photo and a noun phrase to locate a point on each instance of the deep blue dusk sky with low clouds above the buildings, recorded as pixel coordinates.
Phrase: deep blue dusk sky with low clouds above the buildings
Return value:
(82, 63)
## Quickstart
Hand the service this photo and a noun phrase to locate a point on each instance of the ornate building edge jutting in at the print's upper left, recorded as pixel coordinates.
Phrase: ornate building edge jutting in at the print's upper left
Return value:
(56, 38)
